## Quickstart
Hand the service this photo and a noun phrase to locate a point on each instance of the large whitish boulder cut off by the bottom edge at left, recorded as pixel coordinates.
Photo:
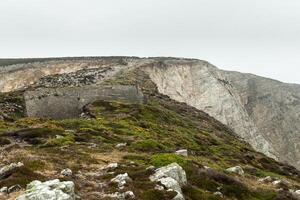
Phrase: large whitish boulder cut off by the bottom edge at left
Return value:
(49, 190)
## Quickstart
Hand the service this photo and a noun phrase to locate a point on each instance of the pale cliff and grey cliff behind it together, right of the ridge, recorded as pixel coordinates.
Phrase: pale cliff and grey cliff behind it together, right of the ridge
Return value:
(262, 111)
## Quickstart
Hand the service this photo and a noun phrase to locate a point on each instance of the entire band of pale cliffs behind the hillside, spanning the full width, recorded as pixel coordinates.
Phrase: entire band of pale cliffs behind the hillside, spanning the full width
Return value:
(264, 112)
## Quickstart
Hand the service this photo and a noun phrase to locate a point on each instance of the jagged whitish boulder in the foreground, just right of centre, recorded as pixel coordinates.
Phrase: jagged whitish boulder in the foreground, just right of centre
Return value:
(173, 170)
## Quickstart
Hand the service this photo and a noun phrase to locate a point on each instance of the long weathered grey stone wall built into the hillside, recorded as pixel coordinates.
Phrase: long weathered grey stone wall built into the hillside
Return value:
(67, 102)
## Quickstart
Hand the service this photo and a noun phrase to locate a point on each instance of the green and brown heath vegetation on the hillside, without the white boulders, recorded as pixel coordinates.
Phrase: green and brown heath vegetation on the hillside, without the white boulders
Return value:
(152, 131)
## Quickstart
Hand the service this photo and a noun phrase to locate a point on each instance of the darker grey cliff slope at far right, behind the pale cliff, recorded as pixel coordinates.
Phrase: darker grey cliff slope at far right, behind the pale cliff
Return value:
(275, 109)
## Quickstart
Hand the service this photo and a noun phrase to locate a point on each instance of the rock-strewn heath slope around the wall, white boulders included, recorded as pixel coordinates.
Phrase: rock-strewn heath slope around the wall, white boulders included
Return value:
(161, 149)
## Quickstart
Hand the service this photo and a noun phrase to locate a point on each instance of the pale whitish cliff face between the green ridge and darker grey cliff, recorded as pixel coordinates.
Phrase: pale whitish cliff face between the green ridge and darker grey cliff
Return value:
(203, 86)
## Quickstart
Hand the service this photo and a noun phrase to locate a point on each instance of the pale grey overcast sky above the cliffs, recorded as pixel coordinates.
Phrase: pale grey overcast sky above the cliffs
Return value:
(256, 36)
